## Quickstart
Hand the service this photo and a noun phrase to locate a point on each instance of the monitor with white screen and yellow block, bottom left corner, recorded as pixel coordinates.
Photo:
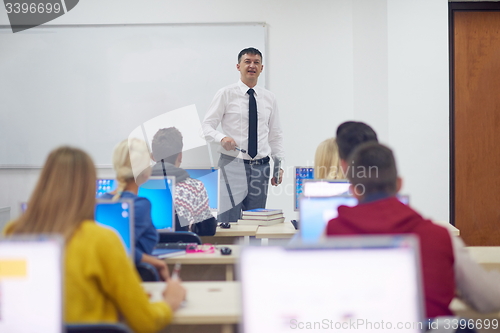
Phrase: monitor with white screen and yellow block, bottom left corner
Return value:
(31, 286)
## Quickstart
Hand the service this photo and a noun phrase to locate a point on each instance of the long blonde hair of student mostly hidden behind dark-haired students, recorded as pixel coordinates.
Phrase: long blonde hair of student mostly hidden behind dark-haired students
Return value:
(326, 161)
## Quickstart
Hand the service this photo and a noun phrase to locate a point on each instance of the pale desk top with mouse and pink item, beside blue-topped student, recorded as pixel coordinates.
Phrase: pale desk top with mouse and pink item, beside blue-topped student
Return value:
(215, 258)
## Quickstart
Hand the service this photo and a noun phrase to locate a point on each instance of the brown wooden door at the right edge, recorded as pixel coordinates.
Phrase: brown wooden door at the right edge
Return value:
(475, 113)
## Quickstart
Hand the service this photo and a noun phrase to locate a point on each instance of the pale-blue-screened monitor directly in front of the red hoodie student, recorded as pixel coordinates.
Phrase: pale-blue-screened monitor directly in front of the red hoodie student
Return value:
(316, 211)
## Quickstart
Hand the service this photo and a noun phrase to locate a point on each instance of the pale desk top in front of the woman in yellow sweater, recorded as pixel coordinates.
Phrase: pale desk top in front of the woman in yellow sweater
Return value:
(207, 302)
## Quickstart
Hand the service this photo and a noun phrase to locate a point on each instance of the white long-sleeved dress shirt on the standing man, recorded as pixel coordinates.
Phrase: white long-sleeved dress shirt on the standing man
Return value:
(230, 109)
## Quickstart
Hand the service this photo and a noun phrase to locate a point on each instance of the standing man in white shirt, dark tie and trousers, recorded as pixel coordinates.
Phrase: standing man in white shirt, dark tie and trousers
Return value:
(249, 118)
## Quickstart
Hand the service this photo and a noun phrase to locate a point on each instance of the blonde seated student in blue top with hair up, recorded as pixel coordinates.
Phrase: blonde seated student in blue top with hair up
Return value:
(135, 153)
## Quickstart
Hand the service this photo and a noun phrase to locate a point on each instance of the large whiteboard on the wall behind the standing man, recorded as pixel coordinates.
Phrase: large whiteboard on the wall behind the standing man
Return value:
(91, 86)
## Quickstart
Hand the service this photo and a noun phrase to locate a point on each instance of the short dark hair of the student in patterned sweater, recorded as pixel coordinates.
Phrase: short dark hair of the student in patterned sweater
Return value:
(167, 144)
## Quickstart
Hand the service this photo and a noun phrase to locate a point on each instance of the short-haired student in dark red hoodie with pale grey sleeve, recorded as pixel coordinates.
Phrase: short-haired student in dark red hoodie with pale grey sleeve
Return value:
(445, 262)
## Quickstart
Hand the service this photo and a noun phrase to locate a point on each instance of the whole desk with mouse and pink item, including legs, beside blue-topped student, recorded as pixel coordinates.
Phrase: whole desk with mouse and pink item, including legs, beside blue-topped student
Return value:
(201, 262)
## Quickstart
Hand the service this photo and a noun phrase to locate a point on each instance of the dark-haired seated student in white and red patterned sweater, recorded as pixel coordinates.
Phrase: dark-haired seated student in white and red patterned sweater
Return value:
(191, 200)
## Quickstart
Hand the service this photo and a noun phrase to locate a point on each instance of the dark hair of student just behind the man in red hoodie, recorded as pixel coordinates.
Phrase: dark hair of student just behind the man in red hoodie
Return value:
(351, 134)
